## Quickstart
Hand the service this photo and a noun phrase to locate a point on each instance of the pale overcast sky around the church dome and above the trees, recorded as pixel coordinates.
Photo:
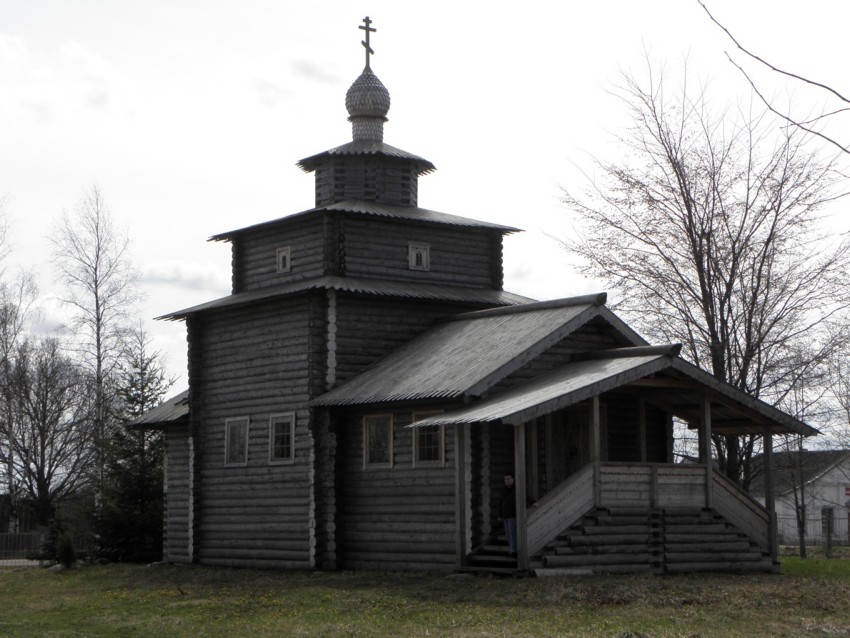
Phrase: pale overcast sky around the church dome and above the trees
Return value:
(190, 115)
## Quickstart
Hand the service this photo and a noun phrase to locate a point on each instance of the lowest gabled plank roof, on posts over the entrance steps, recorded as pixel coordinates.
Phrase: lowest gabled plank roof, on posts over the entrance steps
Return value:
(657, 373)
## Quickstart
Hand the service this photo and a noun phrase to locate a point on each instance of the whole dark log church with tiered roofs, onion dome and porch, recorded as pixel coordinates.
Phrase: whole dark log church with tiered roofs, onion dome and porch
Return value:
(357, 400)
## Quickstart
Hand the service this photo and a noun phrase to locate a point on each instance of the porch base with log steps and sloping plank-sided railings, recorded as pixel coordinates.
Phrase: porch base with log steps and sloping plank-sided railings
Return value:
(627, 518)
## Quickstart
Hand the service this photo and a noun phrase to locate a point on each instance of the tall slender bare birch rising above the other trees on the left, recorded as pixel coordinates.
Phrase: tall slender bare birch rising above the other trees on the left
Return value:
(92, 261)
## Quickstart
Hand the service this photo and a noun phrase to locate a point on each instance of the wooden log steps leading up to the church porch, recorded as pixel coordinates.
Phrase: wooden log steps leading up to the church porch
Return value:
(623, 541)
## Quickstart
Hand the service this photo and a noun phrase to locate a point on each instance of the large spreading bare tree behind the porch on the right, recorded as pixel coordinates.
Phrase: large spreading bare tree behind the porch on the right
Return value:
(707, 227)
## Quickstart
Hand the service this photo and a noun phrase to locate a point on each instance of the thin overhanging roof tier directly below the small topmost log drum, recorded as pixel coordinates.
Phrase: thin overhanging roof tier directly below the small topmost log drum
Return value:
(374, 209)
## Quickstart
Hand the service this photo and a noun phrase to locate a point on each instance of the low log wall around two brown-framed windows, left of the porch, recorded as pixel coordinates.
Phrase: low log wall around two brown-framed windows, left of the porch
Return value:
(396, 518)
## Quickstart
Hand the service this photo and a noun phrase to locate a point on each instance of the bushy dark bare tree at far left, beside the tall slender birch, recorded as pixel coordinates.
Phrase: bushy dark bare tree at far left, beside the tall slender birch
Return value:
(47, 425)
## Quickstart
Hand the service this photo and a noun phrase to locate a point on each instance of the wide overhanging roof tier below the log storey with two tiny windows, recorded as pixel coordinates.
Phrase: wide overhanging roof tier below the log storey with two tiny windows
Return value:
(411, 290)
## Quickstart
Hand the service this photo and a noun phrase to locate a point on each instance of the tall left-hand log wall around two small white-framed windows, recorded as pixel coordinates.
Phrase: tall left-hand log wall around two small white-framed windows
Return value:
(254, 365)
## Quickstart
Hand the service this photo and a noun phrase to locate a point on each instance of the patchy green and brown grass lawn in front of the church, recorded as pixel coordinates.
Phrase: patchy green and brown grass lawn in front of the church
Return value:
(811, 597)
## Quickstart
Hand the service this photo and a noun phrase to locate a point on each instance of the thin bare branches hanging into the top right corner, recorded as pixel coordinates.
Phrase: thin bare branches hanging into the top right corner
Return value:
(810, 125)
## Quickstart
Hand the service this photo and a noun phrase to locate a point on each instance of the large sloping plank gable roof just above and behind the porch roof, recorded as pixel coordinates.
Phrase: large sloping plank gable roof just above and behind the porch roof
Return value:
(465, 355)
